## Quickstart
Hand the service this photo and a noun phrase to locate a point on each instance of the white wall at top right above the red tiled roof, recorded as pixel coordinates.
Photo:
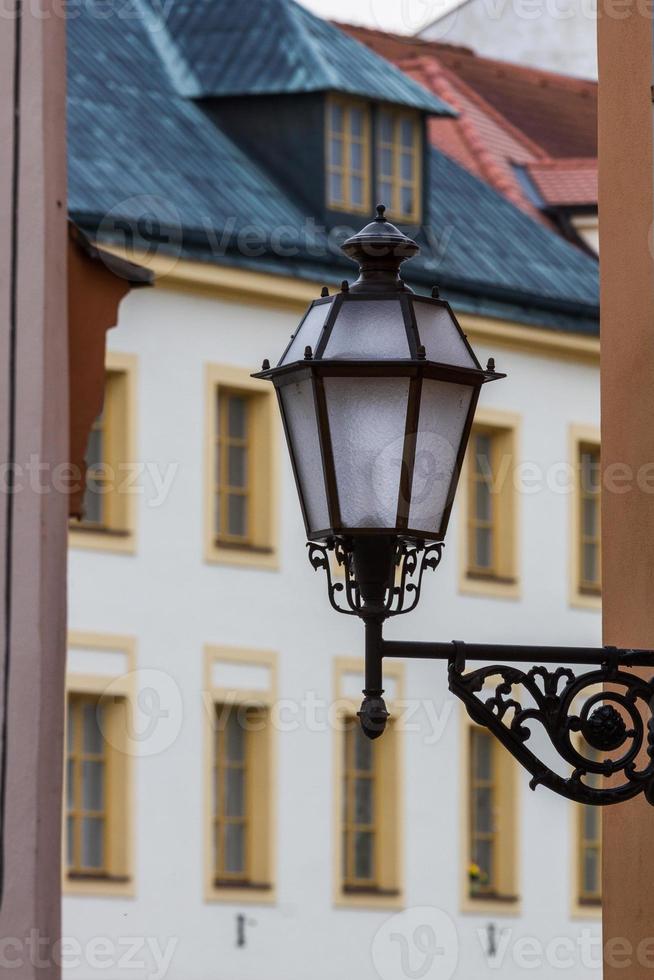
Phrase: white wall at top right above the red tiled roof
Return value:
(558, 35)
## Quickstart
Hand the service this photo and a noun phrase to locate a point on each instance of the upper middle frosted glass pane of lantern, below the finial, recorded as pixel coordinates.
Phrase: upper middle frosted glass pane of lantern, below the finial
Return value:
(371, 330)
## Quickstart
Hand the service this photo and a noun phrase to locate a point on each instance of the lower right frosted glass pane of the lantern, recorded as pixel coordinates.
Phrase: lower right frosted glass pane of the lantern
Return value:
(444, 409)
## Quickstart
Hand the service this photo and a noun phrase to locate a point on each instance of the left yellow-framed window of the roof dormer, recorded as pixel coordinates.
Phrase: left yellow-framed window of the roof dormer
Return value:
(348, 156)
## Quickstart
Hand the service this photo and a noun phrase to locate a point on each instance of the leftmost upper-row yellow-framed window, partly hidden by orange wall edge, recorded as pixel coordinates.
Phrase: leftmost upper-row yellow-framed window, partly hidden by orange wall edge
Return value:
(107, 521)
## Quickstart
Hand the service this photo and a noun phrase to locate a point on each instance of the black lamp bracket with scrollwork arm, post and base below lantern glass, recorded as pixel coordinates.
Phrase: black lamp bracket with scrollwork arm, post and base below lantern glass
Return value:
(383, 578)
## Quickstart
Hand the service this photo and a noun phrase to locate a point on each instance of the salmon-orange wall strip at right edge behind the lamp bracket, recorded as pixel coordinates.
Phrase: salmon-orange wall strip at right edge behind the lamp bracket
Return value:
(627, 373)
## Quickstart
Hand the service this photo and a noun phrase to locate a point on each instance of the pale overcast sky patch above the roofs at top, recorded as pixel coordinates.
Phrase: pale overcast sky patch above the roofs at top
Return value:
(402, 16)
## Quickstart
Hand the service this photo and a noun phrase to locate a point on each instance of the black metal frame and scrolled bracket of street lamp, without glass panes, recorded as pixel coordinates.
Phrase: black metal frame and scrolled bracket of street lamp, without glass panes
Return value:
(383, 570)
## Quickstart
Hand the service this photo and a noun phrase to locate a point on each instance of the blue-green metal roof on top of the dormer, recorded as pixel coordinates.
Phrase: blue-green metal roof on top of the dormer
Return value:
(214, 49)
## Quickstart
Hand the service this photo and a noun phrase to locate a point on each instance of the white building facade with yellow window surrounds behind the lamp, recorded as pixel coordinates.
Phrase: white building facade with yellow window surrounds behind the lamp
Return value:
(162, 623)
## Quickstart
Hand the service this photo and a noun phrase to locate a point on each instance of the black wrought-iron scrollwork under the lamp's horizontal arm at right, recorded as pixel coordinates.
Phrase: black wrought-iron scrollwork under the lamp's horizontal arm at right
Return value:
(598, 733)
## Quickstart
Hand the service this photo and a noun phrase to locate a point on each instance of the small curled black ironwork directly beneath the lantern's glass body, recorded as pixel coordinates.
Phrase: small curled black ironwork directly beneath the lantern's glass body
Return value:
(410, 561)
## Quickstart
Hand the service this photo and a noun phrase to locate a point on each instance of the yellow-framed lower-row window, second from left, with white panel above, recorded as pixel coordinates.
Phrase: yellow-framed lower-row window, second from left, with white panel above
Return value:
(240, 791)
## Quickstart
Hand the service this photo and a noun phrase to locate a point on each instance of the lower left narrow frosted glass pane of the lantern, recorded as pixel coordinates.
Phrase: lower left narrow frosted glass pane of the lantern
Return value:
(300, 414)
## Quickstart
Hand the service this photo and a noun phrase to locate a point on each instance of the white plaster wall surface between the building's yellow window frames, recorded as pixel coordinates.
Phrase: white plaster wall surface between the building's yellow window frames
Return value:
(174, 603)
